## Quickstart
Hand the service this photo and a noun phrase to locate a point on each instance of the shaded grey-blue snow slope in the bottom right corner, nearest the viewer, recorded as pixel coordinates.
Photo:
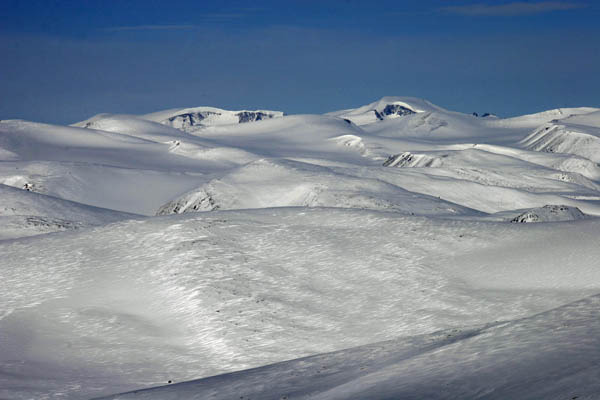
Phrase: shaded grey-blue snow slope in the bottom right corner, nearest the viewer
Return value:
(551, 355)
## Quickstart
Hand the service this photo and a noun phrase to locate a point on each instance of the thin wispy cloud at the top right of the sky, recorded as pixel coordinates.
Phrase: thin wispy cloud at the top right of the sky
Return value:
(512, 9)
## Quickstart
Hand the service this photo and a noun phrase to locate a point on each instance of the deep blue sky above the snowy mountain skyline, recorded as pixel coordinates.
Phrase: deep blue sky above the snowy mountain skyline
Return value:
(63, 61)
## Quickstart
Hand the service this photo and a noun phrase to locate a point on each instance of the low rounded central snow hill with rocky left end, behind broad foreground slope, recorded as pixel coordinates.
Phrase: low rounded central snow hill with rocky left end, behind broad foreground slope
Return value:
(283, 183)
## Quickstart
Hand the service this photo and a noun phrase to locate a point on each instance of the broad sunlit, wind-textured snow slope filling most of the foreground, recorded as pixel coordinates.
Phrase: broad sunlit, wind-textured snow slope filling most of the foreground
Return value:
(138, 303)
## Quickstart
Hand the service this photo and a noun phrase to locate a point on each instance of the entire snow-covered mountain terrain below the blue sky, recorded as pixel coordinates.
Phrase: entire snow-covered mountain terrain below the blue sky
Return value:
(386, 234)
